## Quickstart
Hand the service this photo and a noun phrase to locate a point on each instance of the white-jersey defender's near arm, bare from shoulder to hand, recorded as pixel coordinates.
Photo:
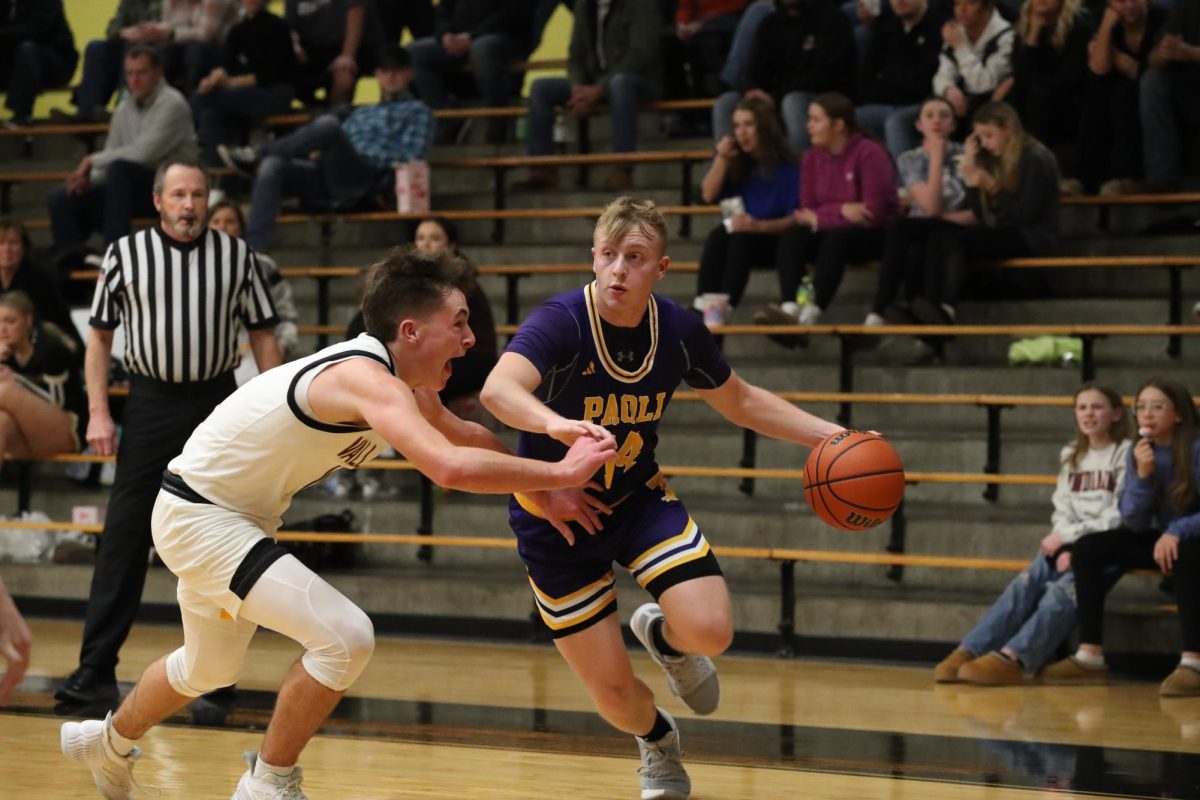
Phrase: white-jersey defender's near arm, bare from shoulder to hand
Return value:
(363, 390)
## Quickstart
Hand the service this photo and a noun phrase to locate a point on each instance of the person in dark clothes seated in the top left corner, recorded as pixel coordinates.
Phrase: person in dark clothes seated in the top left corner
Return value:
(37, 52)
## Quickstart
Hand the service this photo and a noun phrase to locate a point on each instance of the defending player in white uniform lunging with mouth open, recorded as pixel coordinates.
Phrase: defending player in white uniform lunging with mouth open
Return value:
(224, 496)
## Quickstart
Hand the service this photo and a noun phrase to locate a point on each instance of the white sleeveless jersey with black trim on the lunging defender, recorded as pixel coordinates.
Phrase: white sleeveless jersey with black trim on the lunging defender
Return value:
(263, 444)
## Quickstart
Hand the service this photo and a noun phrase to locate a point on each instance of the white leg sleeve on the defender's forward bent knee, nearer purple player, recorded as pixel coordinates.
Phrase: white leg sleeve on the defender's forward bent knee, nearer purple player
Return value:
(296, 601)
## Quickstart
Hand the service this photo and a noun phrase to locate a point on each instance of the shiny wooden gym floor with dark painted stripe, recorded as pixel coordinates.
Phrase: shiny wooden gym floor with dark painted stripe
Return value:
(434, 719)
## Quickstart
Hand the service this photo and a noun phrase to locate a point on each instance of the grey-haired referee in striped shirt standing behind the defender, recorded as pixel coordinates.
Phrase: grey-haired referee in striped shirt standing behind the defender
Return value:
(183, 293)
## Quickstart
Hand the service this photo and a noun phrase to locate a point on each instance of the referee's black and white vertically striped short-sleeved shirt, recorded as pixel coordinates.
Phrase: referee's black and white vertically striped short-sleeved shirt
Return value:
(182, 303)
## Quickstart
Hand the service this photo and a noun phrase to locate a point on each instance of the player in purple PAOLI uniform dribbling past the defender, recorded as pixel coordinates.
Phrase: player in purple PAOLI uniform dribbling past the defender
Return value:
(605, 360)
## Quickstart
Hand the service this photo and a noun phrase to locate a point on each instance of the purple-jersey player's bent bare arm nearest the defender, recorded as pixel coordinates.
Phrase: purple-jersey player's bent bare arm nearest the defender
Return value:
(508, 394)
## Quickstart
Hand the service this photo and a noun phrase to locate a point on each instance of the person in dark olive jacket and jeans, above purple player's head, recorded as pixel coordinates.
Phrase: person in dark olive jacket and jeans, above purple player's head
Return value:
(614, 59)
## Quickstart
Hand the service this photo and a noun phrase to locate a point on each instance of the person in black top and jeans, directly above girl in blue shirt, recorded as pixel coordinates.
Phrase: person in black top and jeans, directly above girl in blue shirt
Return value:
(805, 49)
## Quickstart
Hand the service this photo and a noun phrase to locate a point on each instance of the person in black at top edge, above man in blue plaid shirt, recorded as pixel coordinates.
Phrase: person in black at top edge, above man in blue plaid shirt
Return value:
(335, 41)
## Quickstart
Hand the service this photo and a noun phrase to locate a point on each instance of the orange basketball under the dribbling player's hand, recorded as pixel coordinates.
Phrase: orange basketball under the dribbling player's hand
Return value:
(854, 480)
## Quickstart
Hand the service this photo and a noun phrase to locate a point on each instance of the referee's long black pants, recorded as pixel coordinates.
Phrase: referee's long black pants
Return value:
(159, 419)
